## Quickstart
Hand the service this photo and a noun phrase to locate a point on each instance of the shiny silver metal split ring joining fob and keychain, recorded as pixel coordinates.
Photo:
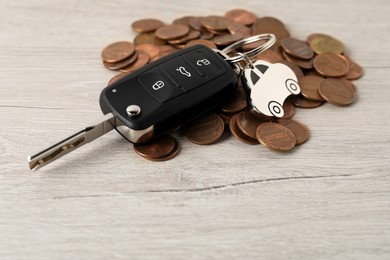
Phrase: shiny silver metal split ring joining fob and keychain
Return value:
(271, 39)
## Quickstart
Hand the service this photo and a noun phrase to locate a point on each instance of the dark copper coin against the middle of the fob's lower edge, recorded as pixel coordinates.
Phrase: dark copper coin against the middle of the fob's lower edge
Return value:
(206, 129)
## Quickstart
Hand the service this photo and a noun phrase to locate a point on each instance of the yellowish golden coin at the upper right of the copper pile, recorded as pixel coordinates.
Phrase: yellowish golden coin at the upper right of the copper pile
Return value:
(321, 43)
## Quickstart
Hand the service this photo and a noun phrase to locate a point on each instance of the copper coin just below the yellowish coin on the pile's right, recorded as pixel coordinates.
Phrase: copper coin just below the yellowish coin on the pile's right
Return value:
(331, 64)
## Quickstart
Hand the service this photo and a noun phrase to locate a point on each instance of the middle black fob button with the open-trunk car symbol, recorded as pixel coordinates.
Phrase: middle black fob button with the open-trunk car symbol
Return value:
(187, 76)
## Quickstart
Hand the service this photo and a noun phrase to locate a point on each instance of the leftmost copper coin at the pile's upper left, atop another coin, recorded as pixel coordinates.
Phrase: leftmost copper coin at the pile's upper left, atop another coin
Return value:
(118, 51)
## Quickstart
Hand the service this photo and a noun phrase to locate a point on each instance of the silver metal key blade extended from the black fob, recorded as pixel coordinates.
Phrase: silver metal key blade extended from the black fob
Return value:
(72, 142)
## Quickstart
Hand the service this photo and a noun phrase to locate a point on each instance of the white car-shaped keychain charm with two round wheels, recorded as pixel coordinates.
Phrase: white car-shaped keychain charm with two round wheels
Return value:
(268, 85)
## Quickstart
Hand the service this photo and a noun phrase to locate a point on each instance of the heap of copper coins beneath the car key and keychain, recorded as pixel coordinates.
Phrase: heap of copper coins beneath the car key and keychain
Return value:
(323, 70)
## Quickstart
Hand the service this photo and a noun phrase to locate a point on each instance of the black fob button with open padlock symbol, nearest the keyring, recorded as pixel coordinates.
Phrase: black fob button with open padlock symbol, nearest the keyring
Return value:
(206, 63)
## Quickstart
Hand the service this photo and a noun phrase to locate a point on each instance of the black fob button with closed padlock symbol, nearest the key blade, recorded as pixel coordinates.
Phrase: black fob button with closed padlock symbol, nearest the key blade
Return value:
(159, 85)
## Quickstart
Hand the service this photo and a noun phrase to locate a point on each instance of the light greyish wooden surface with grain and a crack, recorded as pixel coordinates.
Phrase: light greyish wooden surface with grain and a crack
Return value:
(328, 199)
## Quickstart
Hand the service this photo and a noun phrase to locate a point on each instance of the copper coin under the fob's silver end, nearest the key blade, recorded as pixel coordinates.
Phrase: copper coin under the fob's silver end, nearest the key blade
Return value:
(157, 148)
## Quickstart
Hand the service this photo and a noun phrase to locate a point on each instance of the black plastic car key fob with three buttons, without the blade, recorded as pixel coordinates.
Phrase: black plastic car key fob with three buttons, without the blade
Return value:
(164, 94)
